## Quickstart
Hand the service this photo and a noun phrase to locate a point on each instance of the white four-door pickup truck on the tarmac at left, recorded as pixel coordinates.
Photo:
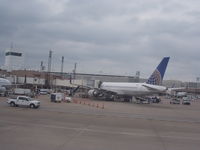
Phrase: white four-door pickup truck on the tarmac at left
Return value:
(23, 101)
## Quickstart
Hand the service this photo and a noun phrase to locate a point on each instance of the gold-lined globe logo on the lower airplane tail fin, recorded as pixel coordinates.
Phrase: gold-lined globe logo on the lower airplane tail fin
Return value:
(155, 78)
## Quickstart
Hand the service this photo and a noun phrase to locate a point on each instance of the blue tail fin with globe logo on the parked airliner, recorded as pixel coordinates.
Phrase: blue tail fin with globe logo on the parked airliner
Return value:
(157, 76)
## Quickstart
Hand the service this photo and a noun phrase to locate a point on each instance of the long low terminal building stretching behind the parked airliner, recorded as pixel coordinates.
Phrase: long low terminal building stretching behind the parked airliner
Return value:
(36, 79)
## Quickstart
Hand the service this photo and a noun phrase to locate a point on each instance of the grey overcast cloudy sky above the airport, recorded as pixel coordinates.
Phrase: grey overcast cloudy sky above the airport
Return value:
(105, 36)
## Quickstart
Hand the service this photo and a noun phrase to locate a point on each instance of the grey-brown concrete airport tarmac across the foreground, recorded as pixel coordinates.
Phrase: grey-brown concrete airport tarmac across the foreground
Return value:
(97, 125)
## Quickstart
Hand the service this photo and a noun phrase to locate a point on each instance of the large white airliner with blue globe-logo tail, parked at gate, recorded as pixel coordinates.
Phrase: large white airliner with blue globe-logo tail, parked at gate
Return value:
(152, 86)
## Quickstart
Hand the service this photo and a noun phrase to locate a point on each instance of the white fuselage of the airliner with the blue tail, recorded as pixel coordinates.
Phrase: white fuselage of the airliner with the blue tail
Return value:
(132, 89)
